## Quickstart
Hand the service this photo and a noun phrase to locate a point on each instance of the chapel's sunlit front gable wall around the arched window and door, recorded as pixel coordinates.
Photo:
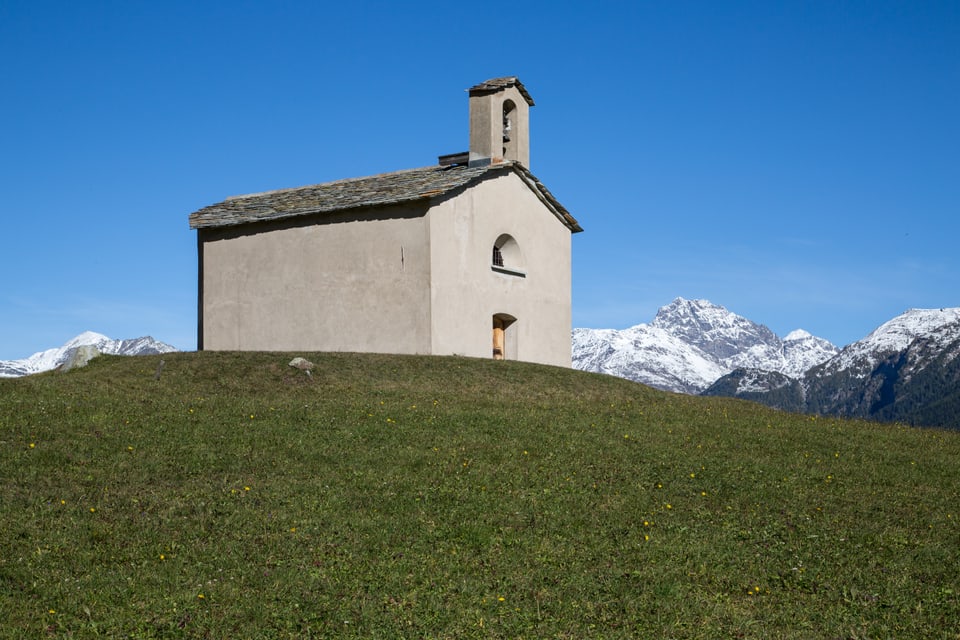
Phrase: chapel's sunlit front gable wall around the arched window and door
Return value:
(466, 292)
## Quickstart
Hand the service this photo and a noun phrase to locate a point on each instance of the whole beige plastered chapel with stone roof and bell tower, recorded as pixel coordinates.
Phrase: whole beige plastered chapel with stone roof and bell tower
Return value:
(470, 256)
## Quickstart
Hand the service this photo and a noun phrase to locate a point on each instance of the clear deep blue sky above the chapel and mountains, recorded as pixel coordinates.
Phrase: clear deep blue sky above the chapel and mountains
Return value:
(795, 162)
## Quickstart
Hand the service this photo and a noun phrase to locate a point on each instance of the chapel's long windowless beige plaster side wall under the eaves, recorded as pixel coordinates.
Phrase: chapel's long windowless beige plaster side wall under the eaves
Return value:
(339, 283)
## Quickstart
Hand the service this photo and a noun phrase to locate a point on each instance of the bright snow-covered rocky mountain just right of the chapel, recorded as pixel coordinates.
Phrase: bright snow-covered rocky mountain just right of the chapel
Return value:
(692, 343)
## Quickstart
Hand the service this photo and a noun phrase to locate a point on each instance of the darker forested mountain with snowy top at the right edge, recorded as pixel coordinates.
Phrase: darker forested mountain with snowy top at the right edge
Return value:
(908, 369)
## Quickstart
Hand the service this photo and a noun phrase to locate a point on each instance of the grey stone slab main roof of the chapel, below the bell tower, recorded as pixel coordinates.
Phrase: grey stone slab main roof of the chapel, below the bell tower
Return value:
(384, 189)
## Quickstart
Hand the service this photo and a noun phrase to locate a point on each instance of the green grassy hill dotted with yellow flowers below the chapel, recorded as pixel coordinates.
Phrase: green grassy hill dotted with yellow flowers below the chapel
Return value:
(388, 497)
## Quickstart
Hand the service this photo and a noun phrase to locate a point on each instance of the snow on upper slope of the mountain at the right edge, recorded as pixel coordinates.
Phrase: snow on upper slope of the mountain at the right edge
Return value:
(894, 336)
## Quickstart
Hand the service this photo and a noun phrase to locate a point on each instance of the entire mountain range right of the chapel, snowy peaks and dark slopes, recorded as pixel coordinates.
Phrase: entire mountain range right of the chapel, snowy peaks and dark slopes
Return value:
(906, 370)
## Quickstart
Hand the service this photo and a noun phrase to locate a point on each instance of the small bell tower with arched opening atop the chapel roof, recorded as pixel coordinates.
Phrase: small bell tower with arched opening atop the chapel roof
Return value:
(500, 122)
